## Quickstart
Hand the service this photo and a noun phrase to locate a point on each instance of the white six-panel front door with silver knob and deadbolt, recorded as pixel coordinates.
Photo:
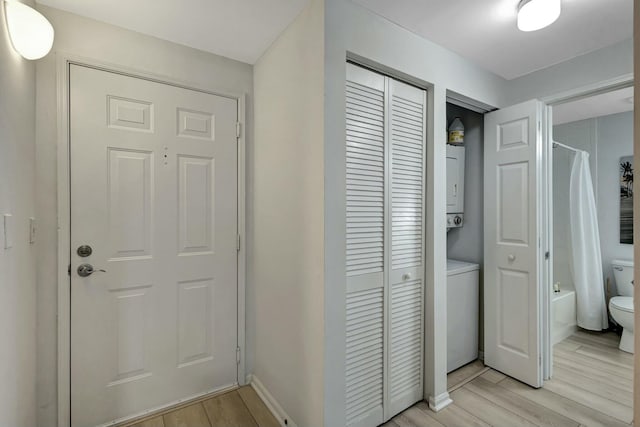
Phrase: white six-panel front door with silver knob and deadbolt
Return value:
(154, 195)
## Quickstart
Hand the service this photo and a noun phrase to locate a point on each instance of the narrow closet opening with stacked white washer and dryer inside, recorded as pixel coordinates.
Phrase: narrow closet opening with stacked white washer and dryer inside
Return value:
(465, 242)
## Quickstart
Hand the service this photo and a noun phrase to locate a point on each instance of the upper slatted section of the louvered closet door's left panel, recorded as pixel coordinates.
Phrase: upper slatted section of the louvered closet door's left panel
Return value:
(365, 179)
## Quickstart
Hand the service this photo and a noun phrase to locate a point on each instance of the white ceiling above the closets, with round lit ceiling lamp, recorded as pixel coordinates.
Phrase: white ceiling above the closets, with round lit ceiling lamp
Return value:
(484, 31)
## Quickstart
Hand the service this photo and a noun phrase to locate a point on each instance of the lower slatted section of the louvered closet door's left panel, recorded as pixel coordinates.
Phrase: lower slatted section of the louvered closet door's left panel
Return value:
(364, 357)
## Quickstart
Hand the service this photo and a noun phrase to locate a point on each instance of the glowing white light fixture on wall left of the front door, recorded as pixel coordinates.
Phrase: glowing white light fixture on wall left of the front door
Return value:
(31, 33)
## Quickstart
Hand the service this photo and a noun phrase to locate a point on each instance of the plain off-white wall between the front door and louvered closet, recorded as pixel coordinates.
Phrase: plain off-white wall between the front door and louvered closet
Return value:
(288, 235)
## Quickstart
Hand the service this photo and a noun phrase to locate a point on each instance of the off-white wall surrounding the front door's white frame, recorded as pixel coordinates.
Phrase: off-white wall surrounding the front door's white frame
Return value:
(88, 38)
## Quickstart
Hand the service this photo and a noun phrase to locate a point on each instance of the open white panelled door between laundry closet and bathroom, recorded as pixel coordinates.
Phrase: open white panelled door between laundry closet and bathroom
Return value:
(513, 253)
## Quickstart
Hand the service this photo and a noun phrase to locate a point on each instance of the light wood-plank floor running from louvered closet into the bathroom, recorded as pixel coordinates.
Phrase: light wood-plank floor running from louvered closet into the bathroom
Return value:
(591, 386)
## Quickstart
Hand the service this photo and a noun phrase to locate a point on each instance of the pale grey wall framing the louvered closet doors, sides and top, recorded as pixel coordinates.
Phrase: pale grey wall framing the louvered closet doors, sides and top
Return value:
(390, 48)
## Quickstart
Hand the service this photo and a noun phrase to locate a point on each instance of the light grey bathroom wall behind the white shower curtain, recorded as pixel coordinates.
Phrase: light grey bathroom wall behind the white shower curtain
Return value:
(606, 138)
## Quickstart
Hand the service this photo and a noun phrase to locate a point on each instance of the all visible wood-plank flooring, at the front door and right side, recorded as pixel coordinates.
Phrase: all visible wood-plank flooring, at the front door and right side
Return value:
(591, 386)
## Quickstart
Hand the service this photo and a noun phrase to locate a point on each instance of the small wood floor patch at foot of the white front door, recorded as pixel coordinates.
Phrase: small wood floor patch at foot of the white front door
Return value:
(237, 408)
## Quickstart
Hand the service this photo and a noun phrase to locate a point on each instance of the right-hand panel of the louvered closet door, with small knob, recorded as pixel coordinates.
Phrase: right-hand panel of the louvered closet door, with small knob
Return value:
(407, 106)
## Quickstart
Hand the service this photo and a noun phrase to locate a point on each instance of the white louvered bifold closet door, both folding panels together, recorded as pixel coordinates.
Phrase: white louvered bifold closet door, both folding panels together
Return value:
(384, 246)
